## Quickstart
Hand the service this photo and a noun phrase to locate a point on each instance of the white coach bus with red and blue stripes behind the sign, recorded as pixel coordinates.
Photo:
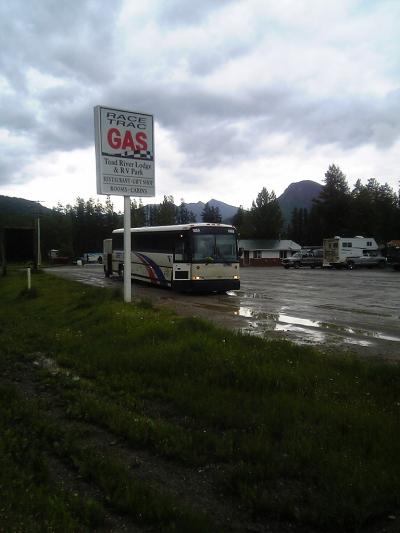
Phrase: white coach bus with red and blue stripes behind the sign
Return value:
(187, 257)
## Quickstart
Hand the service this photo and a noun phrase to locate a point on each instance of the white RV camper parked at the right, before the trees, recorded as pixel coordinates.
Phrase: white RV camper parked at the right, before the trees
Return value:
(348, 252)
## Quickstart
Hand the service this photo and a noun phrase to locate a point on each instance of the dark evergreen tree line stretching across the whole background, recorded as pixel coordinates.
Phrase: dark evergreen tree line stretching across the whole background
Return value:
(371, 210)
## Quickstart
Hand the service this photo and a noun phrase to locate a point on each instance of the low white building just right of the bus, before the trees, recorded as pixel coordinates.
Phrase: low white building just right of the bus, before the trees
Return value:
(266, 252)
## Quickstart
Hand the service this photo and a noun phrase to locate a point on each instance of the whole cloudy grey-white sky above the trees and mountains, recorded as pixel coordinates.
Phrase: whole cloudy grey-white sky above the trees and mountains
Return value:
(244, 93)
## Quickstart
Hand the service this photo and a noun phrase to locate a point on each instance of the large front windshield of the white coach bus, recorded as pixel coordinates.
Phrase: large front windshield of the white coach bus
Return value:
(217, 248)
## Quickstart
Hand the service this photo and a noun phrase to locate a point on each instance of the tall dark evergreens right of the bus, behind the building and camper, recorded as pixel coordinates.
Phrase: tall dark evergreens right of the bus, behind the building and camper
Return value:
(371, 210)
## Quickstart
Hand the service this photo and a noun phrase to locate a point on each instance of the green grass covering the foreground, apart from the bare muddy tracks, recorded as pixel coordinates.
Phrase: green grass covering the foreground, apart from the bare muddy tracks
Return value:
(297, 435)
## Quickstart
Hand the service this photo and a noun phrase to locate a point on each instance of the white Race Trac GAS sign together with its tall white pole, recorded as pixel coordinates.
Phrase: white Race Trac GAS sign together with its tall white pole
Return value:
(124, 142)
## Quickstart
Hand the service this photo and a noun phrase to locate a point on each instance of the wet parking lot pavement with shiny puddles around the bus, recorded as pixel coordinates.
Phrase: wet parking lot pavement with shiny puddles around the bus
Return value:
(358, 310)
